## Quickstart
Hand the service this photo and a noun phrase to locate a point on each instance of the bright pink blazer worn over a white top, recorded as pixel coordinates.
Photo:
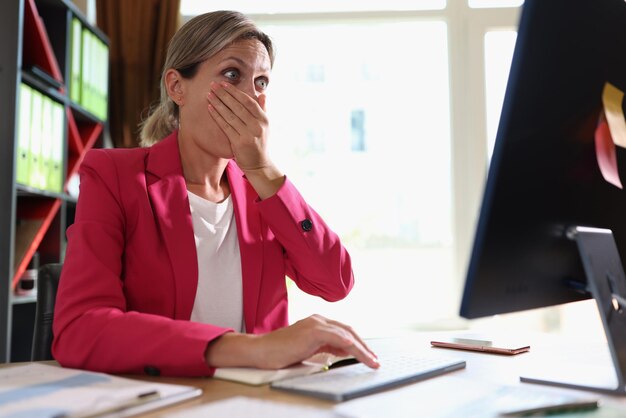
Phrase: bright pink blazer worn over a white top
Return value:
(130, 273)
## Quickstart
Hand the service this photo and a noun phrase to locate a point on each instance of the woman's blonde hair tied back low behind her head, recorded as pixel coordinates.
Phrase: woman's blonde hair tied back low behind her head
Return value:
(195, 42)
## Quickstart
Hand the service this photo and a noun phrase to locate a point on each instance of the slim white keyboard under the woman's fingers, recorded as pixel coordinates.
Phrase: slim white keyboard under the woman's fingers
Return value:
(358, 380)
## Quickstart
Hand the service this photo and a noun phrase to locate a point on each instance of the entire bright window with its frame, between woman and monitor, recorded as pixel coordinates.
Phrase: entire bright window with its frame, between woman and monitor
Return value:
(380, 118)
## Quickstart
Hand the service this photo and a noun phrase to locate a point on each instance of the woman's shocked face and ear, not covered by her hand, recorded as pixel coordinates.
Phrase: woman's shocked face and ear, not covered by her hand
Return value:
(244, 64)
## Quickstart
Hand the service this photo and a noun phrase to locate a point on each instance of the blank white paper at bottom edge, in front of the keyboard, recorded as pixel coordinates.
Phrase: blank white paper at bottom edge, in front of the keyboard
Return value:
(241, 406)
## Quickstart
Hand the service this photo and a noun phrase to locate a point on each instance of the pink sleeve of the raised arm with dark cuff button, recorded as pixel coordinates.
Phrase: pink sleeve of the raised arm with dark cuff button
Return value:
(315, 258)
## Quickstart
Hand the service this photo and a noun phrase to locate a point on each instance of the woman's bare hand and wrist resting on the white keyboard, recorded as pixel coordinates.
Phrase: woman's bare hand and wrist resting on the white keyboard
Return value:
(289, 345)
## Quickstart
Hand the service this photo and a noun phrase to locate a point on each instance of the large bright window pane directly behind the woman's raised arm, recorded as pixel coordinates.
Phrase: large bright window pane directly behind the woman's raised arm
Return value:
(360, 122)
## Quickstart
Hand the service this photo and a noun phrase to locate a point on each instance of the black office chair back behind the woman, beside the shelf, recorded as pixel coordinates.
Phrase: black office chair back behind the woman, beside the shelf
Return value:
(47, 284)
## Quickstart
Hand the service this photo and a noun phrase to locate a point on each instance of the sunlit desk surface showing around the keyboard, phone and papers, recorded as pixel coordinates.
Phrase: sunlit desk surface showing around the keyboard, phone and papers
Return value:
(425, 398)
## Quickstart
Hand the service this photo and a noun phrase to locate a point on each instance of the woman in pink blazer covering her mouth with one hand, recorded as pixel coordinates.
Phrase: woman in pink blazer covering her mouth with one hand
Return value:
(177, 259)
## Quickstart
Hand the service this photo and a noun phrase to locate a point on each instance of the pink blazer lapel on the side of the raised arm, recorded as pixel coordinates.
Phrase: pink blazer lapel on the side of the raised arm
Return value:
(250, 242)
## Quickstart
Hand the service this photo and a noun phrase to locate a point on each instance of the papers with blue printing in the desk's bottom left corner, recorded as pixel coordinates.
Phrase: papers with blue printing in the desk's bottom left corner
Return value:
(37, 390)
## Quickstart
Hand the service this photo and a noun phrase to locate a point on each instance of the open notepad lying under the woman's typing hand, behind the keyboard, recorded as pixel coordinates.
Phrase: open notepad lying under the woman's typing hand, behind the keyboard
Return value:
(251, 376)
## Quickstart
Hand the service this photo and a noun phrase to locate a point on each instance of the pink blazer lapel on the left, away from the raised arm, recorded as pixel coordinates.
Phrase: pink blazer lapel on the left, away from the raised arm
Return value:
(168, 195)
